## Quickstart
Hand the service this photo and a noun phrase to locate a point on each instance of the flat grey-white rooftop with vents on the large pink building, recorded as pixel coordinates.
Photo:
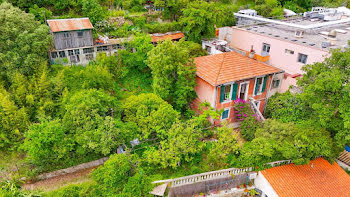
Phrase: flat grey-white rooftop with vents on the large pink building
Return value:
(314, 32)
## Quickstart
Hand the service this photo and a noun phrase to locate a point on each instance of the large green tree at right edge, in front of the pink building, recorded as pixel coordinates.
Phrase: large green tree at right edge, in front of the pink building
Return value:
(326, 88)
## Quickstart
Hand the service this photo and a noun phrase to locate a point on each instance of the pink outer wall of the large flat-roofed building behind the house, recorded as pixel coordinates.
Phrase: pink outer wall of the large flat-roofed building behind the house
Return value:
(284, 54)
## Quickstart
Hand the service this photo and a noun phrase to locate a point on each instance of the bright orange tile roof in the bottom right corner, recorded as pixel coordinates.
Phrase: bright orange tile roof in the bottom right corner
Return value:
(319, 178)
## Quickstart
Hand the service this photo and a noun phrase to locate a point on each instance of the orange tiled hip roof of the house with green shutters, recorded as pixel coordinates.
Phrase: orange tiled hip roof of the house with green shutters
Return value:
(230, 66)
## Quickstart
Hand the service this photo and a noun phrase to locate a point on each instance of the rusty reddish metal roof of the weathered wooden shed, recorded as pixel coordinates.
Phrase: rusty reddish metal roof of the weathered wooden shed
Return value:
(72, 24)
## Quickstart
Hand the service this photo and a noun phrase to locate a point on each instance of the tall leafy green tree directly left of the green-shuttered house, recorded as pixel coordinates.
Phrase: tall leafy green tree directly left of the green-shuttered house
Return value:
(173, 74)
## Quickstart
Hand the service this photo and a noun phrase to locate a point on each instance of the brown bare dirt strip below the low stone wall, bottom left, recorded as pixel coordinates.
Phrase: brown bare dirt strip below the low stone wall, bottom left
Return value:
(60, 181)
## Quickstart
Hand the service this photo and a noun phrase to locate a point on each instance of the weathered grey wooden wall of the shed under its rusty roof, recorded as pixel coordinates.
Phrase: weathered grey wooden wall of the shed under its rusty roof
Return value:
(73, 39)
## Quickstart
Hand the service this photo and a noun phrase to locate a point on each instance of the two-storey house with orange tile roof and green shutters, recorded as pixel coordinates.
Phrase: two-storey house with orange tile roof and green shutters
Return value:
(226, 77)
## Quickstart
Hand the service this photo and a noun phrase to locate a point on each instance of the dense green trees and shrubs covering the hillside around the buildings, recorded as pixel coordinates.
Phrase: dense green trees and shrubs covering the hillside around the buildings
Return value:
(58, 116)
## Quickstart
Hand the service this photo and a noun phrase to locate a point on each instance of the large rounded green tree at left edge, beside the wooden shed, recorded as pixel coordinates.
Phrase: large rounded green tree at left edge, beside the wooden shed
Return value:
(27, 42)
